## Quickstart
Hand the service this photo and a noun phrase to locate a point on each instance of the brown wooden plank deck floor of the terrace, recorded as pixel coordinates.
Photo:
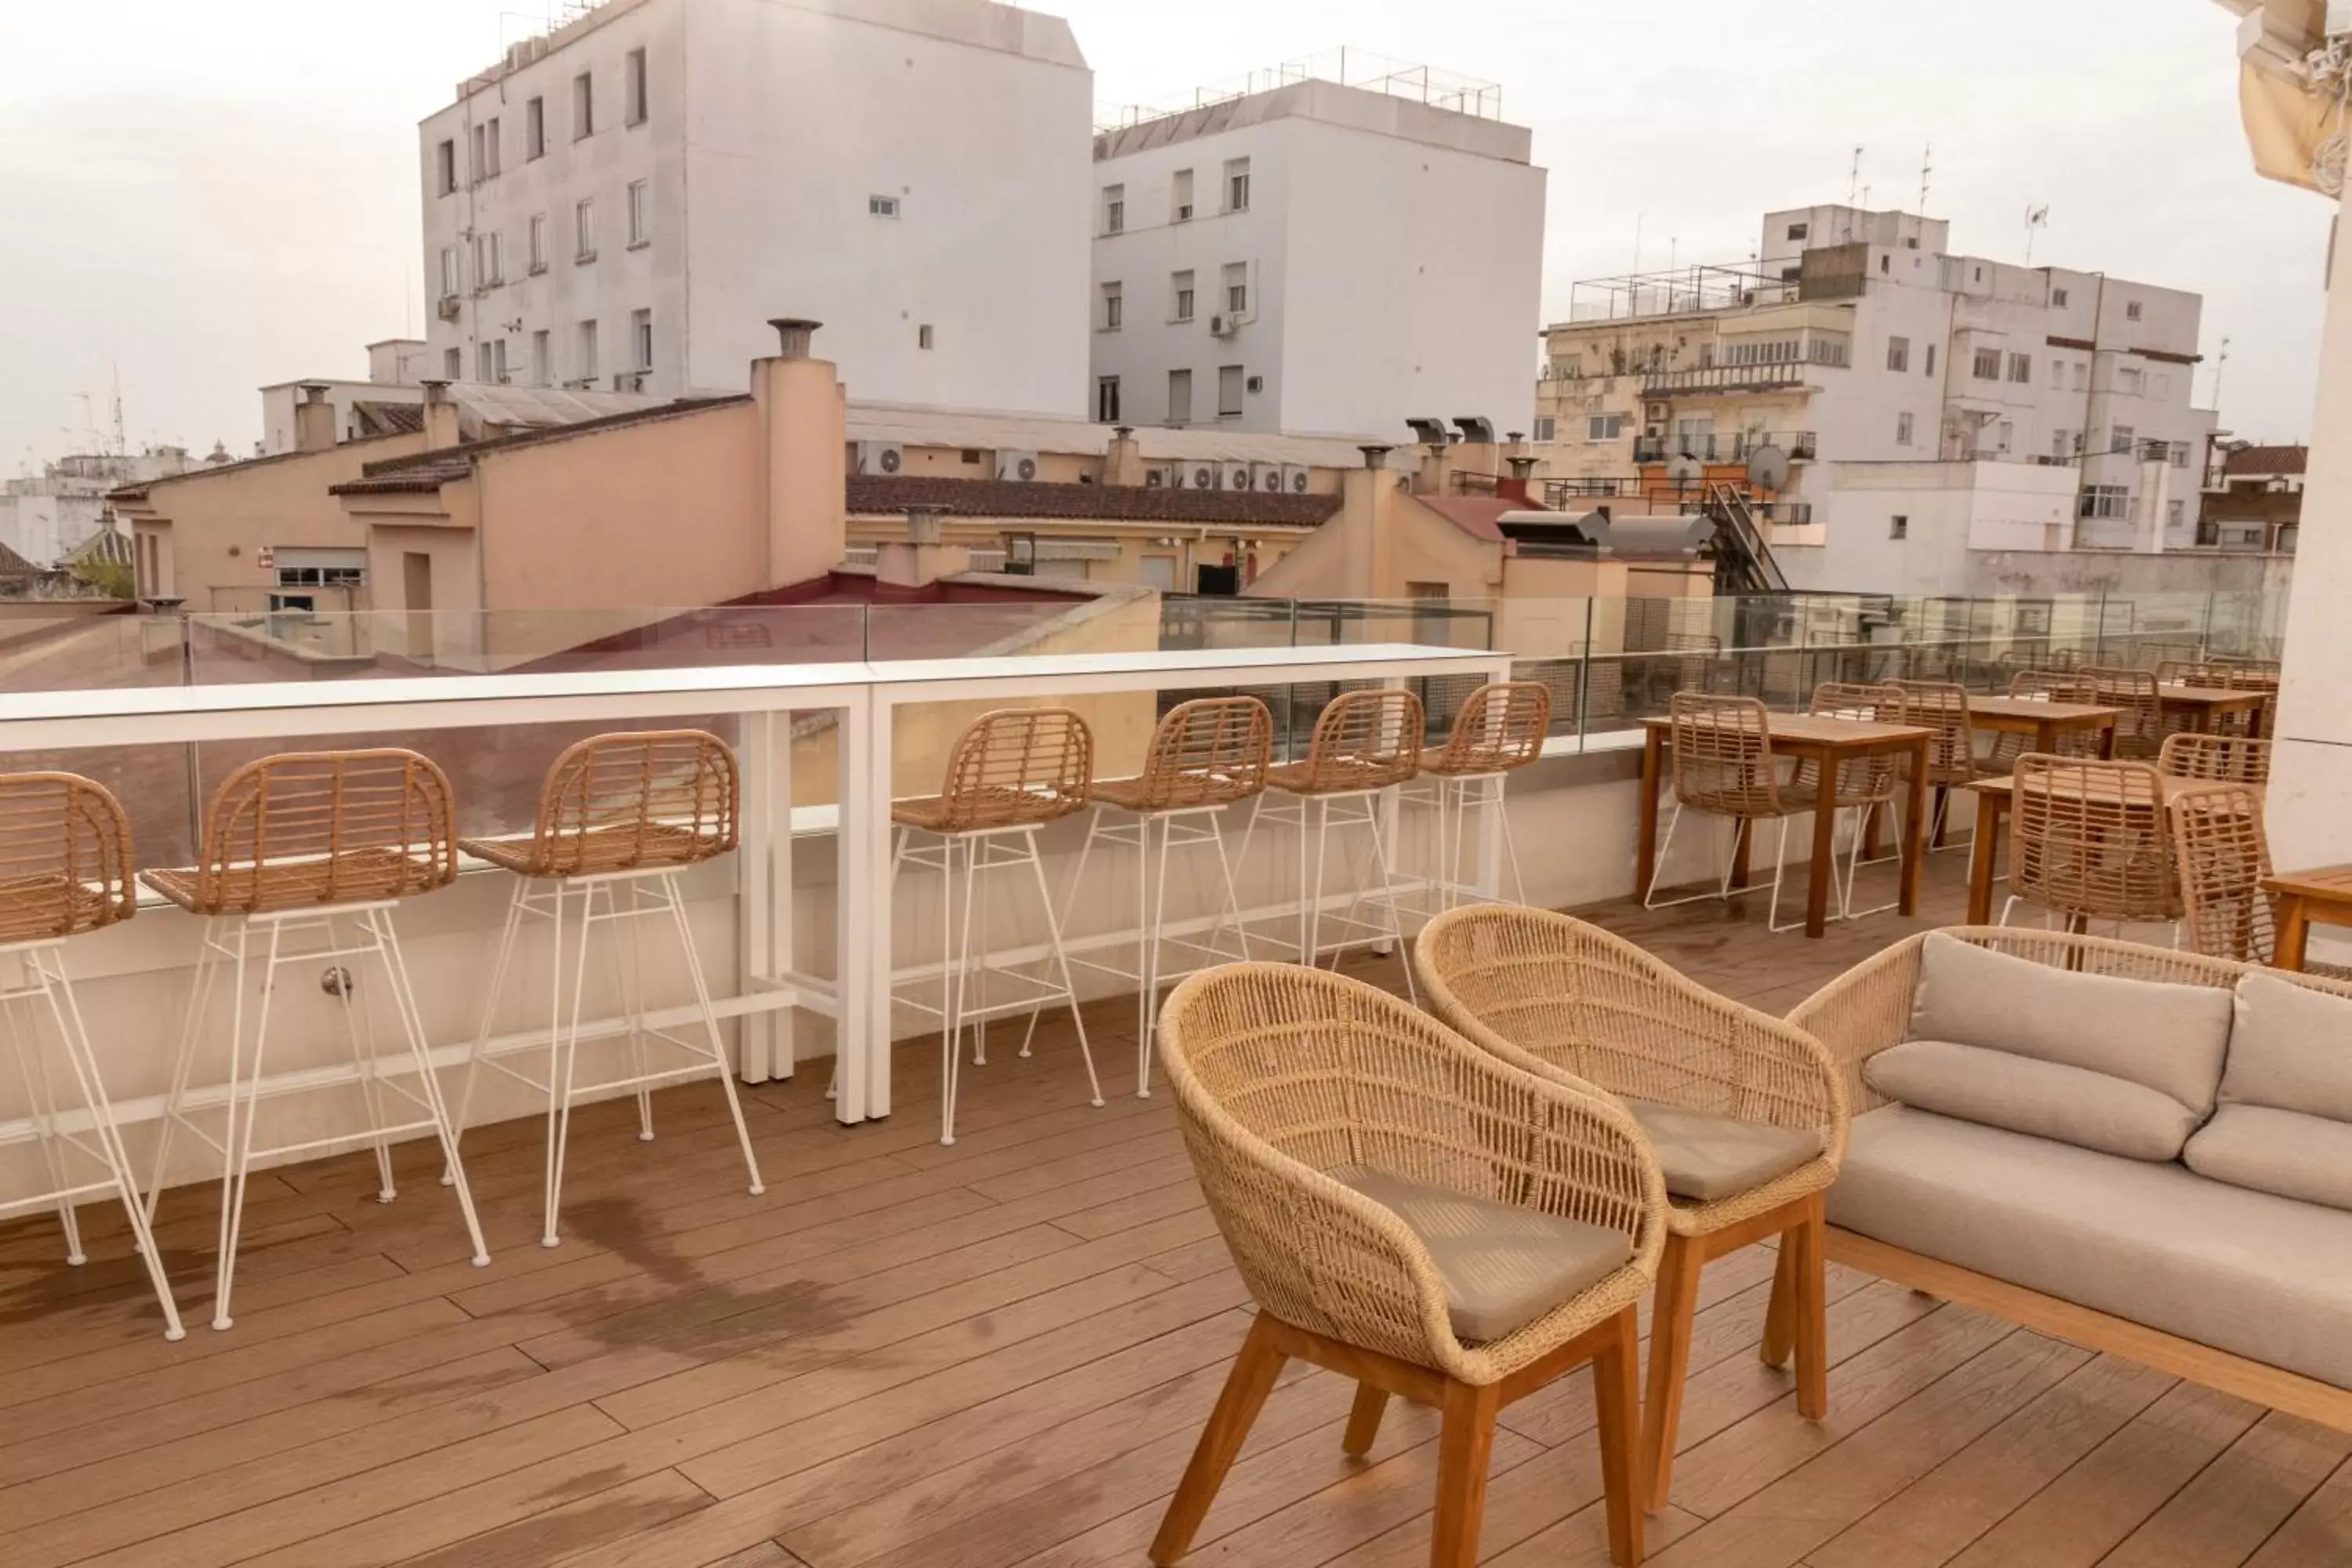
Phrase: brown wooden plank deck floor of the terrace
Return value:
(991, 1355)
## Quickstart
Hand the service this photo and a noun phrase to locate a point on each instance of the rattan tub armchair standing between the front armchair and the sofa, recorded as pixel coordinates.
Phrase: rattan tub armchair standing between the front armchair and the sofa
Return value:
(1746, 1113)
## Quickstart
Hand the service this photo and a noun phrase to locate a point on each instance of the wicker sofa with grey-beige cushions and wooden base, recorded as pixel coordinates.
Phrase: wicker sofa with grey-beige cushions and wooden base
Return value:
(2139, 1151)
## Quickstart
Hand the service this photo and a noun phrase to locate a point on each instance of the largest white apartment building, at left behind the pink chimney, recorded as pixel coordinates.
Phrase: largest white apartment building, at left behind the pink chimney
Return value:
(624, 203)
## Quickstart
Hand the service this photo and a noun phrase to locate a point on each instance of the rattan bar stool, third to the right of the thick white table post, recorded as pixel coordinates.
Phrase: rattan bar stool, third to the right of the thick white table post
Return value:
(1365, 744)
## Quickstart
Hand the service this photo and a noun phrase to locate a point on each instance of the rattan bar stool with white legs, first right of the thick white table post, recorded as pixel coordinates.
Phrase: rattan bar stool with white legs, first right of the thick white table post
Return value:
(1010, 775)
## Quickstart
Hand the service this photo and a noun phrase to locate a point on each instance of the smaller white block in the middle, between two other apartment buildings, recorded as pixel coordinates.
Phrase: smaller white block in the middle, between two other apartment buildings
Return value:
(1316, 260)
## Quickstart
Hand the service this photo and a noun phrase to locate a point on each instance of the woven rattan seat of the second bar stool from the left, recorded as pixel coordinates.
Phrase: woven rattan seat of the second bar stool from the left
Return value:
(326, 829)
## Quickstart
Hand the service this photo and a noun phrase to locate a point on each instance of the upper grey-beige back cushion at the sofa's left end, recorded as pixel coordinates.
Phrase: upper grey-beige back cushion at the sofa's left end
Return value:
(2165, 1038)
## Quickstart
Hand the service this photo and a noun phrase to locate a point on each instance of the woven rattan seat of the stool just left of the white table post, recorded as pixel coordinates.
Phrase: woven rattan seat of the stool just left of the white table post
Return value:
(639, 800)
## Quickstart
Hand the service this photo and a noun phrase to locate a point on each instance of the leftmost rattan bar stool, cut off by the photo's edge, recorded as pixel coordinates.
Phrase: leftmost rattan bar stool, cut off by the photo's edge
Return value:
(67, 871)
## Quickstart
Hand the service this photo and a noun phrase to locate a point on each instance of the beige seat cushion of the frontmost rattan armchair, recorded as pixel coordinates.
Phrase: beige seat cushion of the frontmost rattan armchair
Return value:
(1504, 1266)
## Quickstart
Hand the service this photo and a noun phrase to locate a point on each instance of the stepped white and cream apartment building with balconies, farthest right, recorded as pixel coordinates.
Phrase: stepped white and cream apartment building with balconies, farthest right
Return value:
(1956, 424)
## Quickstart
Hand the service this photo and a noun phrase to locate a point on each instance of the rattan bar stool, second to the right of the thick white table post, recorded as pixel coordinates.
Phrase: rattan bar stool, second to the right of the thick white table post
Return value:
(1205, 756)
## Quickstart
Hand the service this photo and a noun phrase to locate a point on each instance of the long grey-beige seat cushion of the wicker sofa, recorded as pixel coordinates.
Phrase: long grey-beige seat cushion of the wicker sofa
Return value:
(2247, 1273)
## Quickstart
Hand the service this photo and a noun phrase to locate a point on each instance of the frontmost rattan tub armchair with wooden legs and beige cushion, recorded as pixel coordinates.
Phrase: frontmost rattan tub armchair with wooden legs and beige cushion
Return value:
(1412, 1214)
